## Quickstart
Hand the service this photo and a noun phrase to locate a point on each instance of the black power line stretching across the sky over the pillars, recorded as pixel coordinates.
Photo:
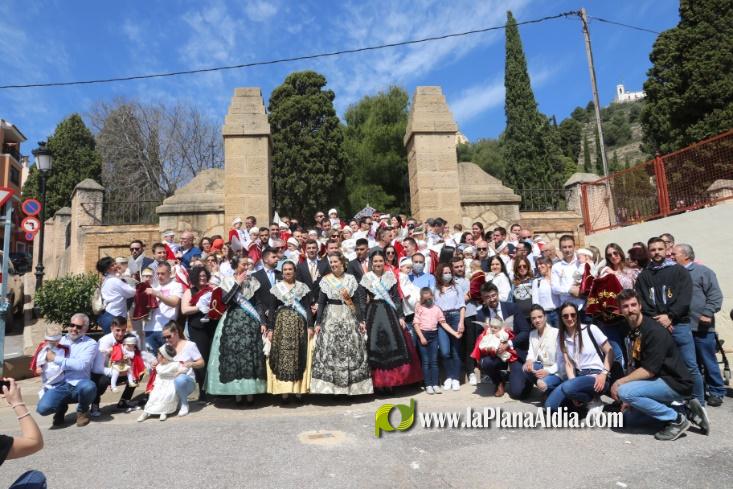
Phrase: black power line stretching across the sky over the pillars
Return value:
(309, 56)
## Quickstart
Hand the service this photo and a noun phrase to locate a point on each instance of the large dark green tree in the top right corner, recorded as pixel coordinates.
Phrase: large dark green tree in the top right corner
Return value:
(689, 89)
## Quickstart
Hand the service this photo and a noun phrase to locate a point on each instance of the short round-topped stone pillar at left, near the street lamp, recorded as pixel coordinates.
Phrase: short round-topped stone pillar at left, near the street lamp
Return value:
(86, 210)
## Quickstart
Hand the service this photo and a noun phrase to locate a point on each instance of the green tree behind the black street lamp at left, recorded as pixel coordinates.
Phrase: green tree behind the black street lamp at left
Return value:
(75, 158)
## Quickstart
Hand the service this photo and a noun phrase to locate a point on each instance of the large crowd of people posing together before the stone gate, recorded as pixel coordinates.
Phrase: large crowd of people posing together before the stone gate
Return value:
(352, 308)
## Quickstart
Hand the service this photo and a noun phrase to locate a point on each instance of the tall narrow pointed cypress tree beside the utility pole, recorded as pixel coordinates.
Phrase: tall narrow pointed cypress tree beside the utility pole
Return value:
(533, 158)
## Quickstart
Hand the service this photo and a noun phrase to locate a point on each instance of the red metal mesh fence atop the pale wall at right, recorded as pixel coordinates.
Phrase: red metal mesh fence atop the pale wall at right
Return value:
(697, 176)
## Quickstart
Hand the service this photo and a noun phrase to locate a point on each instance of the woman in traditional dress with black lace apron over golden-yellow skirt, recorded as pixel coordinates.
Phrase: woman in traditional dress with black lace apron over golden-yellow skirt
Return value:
(288, 368)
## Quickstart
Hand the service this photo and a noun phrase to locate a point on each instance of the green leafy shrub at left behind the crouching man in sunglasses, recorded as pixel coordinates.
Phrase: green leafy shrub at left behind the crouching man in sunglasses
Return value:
(63, 297)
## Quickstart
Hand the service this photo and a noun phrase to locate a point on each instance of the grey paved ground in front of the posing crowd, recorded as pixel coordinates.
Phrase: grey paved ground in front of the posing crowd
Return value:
(330, 443)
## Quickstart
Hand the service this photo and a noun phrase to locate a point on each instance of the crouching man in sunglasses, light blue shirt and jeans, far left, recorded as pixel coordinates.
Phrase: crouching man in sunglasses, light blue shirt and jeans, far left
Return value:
(77, 366)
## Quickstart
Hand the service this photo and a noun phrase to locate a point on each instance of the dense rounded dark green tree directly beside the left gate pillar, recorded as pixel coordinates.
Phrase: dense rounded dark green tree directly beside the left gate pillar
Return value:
(308, 158)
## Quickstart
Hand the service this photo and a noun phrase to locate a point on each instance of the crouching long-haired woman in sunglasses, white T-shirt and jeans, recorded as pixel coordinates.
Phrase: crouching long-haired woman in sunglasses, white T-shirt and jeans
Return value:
(586, 370)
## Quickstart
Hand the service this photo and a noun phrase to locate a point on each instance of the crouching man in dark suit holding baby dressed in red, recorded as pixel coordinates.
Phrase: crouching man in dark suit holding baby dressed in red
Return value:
(492, 366)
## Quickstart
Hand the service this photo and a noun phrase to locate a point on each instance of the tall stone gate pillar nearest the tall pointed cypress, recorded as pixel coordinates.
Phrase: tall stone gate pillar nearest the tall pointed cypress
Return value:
(432, 162)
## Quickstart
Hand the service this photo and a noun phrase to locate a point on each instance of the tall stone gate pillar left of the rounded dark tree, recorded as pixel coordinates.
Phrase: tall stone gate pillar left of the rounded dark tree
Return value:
(247, 151)
